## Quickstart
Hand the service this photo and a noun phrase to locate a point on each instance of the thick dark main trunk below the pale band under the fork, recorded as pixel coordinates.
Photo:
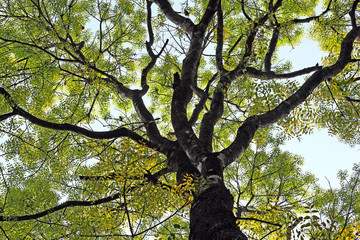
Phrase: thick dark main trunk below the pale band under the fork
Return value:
(212, 217)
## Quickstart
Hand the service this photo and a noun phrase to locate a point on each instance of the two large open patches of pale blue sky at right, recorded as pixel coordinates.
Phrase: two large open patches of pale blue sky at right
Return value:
(323, 154)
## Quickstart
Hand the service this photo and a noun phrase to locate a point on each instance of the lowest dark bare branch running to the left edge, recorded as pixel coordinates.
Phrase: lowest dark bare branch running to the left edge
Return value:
(64, 205)
